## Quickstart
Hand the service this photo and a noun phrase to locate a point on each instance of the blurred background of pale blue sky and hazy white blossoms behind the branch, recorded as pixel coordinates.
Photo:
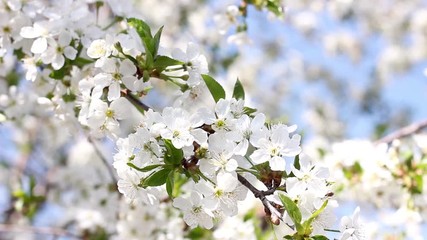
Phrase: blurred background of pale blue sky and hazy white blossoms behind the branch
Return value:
(339, 69)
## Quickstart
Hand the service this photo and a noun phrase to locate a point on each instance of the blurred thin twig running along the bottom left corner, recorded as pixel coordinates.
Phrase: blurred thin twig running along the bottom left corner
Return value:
(37, 230)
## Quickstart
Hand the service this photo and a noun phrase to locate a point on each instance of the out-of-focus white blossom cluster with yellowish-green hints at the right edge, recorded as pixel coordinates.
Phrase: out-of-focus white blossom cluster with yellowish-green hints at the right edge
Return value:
(385, 175)
